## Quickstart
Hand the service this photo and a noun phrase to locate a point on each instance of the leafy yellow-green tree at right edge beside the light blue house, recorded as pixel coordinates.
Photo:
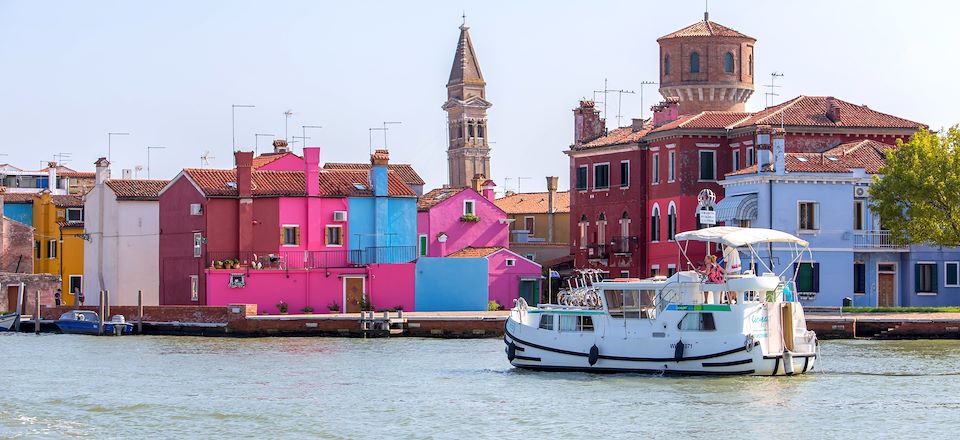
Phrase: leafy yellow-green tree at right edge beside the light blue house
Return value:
(917, 193)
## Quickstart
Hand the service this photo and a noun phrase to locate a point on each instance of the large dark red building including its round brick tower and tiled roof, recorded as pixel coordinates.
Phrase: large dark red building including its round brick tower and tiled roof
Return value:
(634, 188)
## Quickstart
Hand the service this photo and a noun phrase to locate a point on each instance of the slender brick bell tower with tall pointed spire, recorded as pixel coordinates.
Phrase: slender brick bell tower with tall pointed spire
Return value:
(468, 153)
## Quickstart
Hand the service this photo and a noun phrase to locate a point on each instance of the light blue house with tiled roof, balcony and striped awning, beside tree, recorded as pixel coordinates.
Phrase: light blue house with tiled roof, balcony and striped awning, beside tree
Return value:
(823, 198)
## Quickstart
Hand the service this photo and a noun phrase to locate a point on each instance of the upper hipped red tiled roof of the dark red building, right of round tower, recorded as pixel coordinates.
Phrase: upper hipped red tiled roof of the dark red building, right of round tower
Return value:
(812, 111)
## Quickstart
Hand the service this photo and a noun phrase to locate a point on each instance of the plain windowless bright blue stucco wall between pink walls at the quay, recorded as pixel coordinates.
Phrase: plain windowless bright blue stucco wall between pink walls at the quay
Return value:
(451, 284)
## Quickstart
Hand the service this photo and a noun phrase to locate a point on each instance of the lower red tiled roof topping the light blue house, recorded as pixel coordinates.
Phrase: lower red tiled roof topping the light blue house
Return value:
(868, 155)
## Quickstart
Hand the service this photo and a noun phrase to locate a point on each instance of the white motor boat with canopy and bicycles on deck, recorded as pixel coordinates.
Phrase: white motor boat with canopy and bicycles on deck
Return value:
(744, 324)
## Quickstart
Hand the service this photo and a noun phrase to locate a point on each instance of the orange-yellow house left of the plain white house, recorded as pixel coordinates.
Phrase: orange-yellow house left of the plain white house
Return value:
(58, 240)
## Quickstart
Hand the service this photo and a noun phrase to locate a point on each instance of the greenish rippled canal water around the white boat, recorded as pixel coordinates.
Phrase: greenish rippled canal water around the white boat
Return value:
(58, 386)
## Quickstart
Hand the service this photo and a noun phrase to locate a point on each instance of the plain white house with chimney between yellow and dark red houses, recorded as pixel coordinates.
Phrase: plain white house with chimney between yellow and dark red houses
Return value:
(123, 232)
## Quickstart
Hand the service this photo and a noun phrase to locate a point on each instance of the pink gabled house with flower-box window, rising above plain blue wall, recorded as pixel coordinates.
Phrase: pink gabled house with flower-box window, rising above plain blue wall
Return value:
(451, 219)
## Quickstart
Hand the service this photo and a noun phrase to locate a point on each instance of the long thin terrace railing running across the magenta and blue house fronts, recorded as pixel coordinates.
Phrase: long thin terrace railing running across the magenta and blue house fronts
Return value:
(286, 260)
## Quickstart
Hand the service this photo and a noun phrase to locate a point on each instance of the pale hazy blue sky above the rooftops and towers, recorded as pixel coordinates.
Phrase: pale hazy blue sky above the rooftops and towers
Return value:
(168, 73)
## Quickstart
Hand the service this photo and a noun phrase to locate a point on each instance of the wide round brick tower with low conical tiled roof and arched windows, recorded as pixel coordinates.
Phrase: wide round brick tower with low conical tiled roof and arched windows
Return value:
(707, 66)
